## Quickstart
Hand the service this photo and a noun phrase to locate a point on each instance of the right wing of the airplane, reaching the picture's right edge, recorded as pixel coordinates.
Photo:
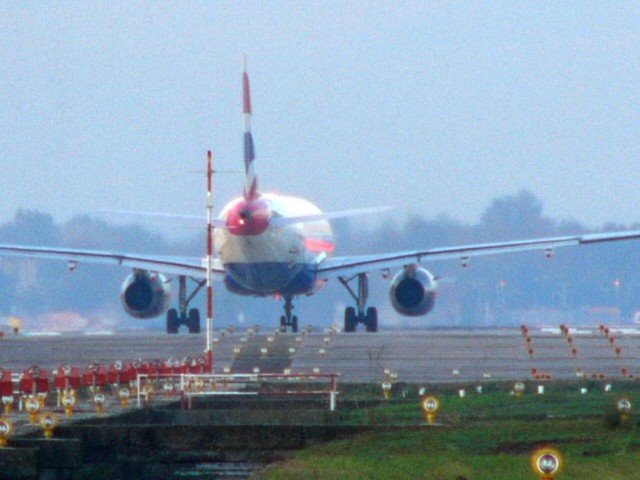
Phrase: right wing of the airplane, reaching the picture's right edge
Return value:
(347, 266)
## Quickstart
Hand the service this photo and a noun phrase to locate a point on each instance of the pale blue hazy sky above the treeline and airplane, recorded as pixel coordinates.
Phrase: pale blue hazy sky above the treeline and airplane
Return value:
(429, 107)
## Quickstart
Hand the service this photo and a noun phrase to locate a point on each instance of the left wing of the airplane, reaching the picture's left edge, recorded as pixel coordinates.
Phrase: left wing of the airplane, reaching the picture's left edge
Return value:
(193, 267)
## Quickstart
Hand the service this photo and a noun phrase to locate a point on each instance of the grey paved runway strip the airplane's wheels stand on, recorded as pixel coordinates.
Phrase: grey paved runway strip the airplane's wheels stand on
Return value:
(416, 356)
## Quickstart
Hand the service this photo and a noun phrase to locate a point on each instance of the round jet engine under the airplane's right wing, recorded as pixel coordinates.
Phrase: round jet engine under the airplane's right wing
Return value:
(413, 291)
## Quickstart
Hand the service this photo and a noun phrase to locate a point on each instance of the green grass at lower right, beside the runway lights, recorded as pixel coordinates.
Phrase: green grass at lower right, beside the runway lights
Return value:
(488, 436)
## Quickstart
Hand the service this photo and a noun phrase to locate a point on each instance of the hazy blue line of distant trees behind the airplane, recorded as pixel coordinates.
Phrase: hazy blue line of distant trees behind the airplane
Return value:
(493, 290)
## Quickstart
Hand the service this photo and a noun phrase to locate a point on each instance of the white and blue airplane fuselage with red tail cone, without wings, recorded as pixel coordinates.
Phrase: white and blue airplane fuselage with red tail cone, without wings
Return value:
(263, 259)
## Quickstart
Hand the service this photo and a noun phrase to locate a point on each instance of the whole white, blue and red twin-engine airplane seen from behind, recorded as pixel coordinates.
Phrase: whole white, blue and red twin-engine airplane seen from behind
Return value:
(270, 245)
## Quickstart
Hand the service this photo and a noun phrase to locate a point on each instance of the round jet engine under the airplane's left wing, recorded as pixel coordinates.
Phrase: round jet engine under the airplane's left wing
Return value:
(145, 294)
